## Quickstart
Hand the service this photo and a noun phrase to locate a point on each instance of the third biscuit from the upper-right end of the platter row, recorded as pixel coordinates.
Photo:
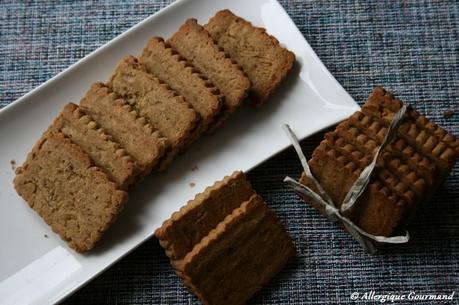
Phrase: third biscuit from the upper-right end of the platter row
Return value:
(163, 62)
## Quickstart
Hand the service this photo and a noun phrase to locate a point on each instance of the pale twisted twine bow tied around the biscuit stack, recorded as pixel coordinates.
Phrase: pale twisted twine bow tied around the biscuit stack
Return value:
(322, 199)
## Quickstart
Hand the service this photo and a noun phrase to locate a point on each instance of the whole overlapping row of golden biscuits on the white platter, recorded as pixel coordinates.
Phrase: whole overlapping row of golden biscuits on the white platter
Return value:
(153, 107)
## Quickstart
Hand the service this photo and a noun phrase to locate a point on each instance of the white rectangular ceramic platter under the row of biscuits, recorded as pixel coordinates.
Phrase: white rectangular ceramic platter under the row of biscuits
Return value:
(36, 267)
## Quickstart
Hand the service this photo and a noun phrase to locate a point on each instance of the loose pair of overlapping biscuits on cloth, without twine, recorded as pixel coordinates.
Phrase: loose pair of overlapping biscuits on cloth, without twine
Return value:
(226, 243)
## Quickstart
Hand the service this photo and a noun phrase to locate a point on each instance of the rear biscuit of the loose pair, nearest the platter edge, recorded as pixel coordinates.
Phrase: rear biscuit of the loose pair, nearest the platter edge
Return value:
(199, 216)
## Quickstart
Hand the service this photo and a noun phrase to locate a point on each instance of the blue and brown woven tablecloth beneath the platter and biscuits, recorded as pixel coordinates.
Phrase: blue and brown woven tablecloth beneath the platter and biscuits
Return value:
(410, 47)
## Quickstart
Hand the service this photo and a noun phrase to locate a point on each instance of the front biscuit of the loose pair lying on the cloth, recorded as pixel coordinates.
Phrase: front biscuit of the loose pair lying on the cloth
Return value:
(238, 257)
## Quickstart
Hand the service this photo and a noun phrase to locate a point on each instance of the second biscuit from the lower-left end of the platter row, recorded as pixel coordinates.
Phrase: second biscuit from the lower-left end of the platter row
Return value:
(103, 150)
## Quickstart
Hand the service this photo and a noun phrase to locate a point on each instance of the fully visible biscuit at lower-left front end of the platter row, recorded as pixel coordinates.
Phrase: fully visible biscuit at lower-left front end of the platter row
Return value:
(59, 181)
